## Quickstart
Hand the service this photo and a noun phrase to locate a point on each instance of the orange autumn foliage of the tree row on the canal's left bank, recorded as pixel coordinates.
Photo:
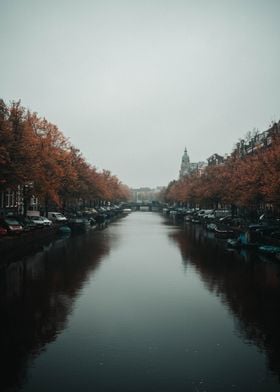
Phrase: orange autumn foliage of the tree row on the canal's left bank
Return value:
(34, 150)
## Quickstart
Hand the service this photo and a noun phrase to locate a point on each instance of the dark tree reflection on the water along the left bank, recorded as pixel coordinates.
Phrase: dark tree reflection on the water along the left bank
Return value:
(37, 297)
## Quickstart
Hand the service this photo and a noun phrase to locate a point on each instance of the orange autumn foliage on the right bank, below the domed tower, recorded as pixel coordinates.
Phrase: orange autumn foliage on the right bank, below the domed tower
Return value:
(246, 182)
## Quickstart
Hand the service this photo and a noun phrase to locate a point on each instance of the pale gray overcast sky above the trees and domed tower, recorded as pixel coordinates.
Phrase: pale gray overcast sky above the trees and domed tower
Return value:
(131, 83)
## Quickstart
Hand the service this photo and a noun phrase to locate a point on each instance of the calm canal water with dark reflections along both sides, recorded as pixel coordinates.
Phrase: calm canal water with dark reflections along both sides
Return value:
(143, 305)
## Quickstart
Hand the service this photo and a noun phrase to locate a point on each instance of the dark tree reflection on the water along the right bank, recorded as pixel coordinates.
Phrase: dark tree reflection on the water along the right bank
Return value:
(250, 288)
